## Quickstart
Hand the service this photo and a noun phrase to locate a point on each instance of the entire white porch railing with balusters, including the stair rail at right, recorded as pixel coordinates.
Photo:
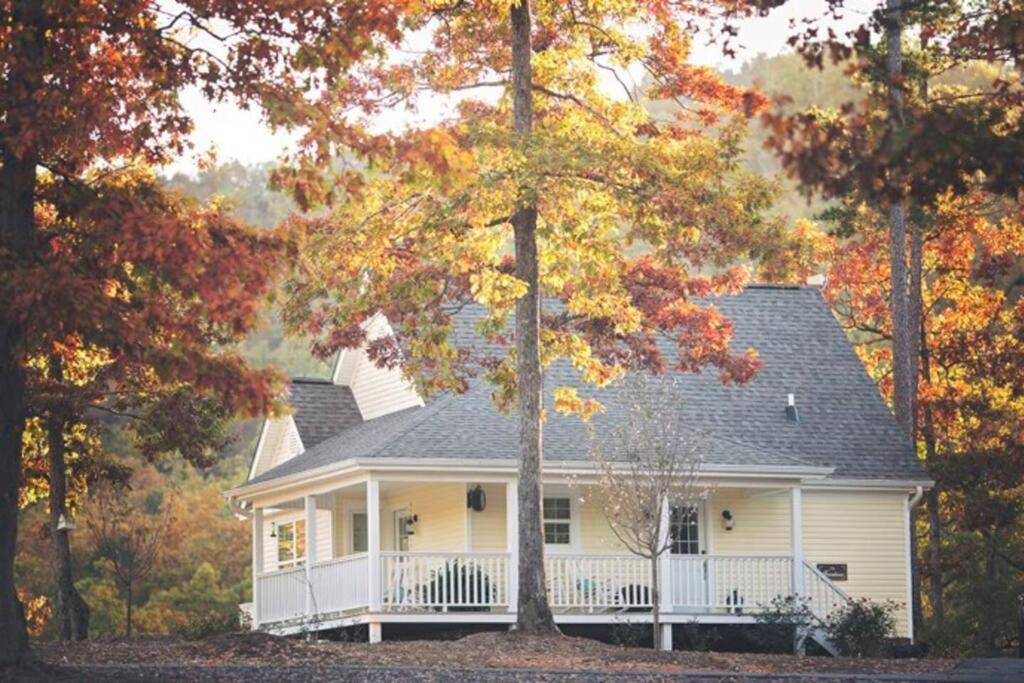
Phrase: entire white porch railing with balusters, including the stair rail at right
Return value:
(577, 583)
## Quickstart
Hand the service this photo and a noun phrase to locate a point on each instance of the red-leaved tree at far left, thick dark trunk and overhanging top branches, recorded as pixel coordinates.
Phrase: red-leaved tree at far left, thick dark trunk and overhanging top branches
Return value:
(88, 84)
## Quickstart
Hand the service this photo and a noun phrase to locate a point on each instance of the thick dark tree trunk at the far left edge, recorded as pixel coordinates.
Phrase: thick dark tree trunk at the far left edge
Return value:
(18, 188)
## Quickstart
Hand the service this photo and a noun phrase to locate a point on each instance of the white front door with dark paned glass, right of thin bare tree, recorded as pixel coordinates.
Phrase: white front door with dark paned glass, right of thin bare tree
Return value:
(690, 569)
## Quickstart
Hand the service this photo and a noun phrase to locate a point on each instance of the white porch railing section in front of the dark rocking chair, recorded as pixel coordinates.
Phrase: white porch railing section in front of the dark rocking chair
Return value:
(446, 582)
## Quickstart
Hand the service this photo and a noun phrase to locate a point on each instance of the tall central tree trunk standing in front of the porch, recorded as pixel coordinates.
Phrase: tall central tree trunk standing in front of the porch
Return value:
(534, 615)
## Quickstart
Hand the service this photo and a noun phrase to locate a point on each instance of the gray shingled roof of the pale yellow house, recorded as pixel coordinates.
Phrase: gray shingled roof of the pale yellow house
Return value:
(843, 421)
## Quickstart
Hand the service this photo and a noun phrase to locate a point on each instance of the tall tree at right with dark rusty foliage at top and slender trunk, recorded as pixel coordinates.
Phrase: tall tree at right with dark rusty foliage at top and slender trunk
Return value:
(885, 150)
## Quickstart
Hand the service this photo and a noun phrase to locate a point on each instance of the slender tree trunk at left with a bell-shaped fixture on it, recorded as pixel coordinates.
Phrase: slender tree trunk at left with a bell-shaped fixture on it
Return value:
(72, 612)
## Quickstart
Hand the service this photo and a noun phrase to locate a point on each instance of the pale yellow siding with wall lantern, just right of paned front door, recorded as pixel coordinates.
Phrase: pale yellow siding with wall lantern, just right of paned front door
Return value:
(762, 523)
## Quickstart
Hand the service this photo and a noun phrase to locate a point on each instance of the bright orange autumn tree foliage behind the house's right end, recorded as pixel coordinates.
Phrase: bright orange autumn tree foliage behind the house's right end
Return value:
(970, 351)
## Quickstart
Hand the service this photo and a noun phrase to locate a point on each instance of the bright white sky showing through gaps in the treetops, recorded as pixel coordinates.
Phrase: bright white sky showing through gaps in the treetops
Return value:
(234, 135)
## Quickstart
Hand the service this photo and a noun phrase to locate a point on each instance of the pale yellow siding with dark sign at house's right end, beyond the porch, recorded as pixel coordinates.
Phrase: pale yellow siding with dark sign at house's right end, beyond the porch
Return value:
(867, 532)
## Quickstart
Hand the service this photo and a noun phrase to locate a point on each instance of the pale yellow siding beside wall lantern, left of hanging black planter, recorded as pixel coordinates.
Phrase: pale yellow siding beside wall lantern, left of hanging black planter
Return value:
(442, 509)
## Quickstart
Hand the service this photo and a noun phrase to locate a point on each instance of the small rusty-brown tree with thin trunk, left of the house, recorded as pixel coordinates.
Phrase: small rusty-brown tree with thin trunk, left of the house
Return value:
(130, 543)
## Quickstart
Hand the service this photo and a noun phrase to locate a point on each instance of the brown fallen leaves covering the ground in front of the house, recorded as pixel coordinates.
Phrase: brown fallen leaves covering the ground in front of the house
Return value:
(483, 650)
